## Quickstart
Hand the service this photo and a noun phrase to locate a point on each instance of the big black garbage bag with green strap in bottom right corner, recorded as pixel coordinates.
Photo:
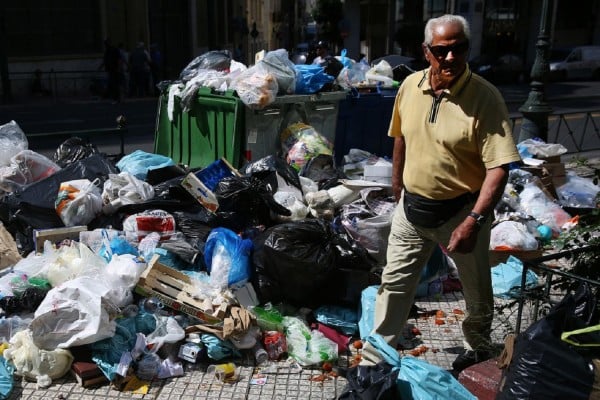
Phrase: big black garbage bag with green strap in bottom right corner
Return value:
(545, 367)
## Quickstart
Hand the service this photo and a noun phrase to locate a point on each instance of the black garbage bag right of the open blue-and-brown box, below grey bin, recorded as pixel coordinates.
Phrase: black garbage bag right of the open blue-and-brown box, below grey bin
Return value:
(250, 199)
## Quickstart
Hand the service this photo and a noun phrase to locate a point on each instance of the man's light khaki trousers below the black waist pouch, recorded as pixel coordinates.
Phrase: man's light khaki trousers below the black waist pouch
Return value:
(409, 249)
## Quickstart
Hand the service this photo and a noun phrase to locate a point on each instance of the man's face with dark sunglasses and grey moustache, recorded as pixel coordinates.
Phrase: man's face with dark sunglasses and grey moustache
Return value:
(447, 54)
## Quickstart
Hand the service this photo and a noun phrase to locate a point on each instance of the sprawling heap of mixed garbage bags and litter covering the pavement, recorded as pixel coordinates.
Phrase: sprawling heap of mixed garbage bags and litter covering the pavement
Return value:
(141, 266)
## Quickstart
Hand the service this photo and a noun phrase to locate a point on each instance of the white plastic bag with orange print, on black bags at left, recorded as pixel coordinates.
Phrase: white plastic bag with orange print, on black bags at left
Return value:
(78, 202)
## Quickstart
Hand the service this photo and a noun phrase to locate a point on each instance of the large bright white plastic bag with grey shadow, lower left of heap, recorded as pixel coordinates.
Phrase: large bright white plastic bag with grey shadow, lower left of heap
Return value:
(73, 314)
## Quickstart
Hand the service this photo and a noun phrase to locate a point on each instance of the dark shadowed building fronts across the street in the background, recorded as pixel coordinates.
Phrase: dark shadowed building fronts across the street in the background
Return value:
(64, 38)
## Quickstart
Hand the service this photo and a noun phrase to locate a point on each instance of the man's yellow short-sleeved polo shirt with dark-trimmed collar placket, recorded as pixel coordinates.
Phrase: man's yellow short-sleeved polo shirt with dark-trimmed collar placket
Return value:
(451, 140)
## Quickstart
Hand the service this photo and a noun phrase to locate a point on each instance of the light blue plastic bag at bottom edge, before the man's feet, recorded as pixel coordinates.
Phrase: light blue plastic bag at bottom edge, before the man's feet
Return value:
(418, 379)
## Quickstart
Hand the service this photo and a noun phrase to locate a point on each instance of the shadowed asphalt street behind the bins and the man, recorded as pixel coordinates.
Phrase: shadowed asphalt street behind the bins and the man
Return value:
(38, 115)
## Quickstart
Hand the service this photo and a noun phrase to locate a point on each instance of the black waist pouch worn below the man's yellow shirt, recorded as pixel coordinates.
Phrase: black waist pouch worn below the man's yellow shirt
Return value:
(429, 213)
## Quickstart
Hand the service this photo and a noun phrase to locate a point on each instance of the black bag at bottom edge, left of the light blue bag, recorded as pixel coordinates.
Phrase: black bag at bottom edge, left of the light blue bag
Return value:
(376, 382)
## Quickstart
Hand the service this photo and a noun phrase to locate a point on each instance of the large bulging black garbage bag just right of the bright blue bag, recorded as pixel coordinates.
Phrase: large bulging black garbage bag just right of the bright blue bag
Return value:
(294, 262)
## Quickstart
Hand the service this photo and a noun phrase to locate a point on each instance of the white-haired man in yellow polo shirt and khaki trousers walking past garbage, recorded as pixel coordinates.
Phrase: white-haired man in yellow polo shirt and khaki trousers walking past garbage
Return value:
(452, 147)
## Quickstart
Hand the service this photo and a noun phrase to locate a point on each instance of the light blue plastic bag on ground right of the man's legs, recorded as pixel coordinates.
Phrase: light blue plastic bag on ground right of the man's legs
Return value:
(506, 278)
